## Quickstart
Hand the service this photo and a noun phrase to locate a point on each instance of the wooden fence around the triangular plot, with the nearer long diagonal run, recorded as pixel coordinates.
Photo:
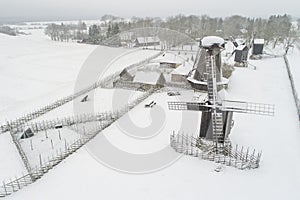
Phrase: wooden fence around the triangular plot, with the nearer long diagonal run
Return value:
(34, 173)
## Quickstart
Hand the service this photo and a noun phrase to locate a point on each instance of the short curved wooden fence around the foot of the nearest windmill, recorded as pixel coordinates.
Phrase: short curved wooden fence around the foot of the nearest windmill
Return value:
(237, 157)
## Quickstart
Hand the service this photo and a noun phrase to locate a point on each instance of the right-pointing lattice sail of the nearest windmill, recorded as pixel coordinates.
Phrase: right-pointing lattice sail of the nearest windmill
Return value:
(248, 107)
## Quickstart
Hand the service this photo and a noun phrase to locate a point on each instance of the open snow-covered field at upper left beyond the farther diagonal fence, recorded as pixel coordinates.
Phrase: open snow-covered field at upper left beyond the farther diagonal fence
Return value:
(49, 69)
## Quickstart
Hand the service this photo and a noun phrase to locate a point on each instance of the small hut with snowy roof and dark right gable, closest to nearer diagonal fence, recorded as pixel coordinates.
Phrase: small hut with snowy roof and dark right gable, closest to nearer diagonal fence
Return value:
(148, 80)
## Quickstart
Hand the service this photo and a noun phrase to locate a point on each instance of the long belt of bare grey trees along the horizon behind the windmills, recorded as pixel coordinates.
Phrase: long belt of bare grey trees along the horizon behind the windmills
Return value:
(274, 28)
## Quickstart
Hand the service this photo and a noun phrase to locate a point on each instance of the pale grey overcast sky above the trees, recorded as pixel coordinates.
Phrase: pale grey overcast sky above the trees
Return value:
(89, 9)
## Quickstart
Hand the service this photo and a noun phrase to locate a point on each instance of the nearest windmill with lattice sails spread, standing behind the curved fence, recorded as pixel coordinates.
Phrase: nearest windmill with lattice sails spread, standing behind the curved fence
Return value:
(216, 121)
